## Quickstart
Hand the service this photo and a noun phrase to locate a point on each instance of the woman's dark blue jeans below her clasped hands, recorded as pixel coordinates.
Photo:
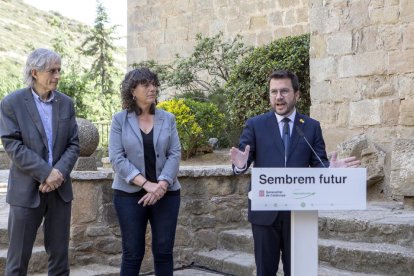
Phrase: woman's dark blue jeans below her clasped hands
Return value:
(133, 219)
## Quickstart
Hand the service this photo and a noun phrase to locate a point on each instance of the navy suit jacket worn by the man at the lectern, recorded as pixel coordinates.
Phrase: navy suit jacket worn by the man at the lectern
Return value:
(267, 150)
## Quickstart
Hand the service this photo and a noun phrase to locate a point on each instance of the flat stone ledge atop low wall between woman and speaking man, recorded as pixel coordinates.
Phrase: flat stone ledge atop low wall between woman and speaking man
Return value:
(202, 171)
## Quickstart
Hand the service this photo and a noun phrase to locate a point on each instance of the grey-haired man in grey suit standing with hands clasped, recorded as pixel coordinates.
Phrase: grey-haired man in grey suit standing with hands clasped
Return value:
(40, 135)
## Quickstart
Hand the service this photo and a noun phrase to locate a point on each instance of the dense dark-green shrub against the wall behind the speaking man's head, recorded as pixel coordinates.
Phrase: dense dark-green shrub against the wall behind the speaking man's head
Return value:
(247, 90)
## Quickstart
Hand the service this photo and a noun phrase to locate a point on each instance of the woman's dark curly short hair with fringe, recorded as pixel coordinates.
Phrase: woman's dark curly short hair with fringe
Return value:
(131, 80)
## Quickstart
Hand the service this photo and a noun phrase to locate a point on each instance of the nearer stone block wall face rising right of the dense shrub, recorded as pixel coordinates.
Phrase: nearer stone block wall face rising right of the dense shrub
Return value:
(362, 73)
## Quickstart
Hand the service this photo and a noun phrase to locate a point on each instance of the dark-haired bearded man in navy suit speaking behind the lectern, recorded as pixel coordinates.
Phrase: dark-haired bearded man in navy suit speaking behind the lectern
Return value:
(272, 140)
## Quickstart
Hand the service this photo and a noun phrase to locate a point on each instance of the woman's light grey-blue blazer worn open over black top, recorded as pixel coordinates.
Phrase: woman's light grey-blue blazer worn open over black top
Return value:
(126, 150)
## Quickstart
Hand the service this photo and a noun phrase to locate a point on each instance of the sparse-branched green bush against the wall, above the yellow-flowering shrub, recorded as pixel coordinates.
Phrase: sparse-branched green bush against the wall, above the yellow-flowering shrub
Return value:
(206, 69)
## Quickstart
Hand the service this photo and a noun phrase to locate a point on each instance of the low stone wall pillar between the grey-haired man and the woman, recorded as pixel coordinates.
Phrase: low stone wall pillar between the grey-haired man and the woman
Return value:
(95, 234)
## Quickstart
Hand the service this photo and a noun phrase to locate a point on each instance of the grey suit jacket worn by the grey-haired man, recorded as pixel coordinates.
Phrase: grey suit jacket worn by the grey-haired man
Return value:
(24, 139)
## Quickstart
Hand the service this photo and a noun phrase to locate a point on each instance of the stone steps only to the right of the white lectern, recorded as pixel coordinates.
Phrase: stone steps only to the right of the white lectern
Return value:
(378, 241)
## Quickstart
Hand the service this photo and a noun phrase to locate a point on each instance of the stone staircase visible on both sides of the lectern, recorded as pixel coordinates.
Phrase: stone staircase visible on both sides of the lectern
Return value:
(378, 241)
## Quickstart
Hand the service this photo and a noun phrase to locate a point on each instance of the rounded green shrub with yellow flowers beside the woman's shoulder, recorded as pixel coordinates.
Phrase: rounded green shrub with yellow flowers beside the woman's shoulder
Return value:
(196, 122)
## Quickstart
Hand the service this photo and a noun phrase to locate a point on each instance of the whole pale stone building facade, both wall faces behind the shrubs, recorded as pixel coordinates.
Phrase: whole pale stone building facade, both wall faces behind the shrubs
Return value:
(362, 66)
